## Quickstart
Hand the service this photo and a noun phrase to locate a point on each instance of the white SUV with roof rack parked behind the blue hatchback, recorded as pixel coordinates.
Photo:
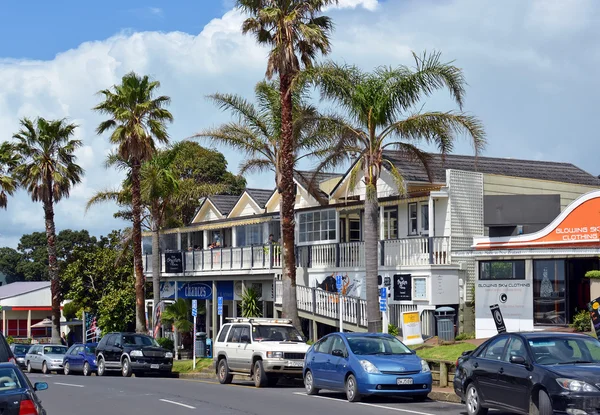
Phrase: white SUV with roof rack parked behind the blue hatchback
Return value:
(262, 349)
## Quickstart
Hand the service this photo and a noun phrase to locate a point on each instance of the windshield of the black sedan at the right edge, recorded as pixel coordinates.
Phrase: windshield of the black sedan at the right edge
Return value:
(564, 351)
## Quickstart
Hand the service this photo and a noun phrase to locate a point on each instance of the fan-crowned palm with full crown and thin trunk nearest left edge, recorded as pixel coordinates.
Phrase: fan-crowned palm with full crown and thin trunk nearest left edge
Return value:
(47, 170)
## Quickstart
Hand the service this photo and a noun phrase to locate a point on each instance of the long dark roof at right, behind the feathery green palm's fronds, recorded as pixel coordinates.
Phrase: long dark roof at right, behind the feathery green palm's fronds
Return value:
(413, 170)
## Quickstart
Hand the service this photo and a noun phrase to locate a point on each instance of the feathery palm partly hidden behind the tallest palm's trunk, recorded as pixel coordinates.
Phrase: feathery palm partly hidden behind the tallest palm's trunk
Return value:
(258, 134)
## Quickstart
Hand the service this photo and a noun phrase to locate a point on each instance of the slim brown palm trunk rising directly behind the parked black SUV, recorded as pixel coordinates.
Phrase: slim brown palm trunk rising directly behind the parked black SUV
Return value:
(140, 314)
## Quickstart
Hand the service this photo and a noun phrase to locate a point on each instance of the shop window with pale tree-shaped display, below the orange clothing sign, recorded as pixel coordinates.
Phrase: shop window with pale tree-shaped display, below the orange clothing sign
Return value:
(549, 301)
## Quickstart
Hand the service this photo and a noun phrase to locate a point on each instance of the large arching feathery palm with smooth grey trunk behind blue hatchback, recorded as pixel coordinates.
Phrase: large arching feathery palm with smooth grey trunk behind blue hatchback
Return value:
(381, 109)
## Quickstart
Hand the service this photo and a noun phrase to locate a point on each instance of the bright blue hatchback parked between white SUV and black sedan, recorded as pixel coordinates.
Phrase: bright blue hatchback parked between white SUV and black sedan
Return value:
(366, 364)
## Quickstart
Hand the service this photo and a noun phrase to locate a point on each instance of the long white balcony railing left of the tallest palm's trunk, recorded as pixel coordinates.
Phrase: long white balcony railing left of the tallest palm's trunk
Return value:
(222, 259)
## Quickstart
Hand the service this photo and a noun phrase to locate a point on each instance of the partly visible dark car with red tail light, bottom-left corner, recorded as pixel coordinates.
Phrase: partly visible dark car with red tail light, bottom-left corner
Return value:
(17, 394)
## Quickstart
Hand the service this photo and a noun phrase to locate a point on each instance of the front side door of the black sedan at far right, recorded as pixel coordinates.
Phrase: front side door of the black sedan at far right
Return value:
(514, 384)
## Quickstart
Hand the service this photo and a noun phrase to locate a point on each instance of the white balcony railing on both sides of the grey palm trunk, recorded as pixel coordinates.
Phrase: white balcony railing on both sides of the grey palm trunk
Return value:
(391, 253)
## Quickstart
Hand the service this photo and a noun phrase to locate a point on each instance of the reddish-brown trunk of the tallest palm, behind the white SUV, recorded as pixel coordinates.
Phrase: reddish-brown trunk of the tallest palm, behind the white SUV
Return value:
(288, 199)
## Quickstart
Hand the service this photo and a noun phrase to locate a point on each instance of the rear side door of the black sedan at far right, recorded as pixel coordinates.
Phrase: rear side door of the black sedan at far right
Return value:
(486, 368)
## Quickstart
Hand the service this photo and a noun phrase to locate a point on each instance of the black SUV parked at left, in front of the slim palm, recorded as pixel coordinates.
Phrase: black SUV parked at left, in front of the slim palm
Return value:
(132, 353)
